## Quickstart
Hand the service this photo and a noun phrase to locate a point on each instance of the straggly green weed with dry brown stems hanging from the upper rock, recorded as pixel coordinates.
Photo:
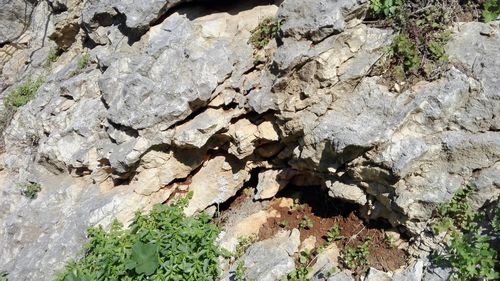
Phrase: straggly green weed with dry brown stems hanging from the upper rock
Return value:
(419, 48)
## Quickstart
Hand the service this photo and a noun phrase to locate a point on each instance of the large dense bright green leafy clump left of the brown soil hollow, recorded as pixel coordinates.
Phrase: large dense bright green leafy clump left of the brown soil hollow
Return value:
(164, 245)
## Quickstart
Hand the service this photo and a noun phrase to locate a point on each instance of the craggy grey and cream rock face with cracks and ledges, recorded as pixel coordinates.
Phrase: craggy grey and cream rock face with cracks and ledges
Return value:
(173, 97)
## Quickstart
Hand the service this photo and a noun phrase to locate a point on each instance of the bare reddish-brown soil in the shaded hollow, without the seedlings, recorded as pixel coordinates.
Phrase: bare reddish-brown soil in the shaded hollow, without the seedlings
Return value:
(324, 214)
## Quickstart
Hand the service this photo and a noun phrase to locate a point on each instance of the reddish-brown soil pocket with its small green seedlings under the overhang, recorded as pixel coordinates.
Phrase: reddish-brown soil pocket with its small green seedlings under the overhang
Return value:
(331, 221)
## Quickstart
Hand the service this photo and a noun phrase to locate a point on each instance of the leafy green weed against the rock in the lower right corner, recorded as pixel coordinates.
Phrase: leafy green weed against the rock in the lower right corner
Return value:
(467, 251)
